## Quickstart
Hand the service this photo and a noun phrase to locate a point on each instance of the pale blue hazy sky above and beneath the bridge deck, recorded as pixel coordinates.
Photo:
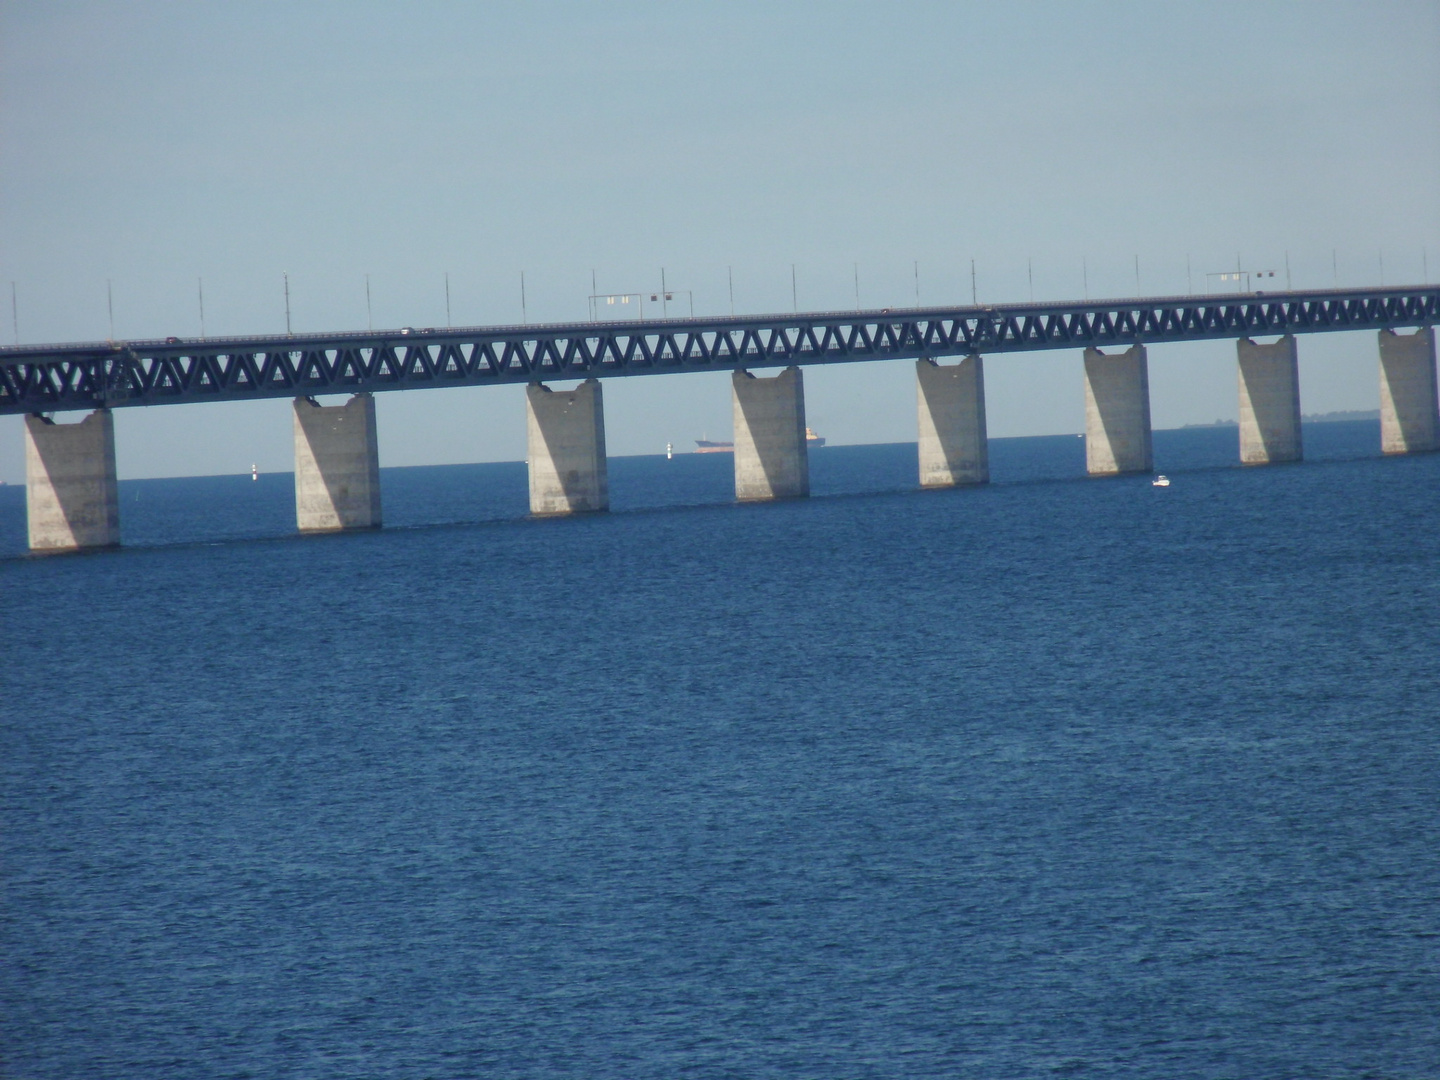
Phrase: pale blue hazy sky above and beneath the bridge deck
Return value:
(152, 145)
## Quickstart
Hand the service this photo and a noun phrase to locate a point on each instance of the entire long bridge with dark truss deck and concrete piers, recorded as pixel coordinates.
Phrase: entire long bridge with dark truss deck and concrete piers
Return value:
(71, 469)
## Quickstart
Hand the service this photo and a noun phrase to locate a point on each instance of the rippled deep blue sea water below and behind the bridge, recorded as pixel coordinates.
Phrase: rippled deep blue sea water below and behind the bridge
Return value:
(1058, 777)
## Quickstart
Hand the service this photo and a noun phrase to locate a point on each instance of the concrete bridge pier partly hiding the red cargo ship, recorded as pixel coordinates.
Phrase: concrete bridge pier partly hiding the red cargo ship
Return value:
(771, 459)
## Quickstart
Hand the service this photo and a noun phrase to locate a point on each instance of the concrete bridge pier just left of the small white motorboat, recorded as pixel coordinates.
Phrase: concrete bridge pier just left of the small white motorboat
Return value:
(1117, 413)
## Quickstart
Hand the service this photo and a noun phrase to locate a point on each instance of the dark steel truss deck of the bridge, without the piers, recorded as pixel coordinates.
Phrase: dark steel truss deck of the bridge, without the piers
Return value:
(125, 374)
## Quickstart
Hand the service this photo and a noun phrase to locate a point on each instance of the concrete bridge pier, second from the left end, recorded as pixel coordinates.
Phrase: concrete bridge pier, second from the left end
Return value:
(338, 466)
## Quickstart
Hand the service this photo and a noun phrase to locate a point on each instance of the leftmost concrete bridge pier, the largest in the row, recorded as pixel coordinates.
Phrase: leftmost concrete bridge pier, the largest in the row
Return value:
(71, 496)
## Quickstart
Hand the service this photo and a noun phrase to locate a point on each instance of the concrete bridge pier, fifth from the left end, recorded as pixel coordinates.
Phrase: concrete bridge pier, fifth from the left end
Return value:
(954, 449)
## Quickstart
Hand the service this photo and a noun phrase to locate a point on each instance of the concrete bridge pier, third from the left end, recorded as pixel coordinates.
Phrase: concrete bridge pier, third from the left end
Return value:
(567, 450)
